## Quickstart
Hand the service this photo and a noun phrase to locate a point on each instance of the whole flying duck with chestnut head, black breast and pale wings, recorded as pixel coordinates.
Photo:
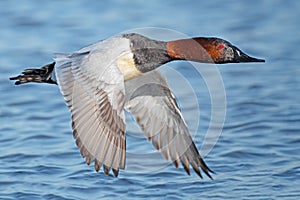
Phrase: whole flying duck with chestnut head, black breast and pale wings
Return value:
(101, 80)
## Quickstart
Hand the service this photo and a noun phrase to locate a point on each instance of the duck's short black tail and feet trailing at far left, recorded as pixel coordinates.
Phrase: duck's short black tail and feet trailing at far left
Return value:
(42, 75)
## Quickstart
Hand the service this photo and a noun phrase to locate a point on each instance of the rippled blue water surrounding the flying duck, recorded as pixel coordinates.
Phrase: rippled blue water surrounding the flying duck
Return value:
(257, 155)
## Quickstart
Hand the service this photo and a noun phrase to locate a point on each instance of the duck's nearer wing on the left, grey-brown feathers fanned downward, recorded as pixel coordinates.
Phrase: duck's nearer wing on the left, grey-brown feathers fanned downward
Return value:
(95, 95)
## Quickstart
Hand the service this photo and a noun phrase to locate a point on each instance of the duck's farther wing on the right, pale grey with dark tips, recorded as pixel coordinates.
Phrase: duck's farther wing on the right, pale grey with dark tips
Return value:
(150, 100)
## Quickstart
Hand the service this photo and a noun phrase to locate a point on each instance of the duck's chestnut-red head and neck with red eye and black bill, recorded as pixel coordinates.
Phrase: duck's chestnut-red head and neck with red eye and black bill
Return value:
(207, 50)
